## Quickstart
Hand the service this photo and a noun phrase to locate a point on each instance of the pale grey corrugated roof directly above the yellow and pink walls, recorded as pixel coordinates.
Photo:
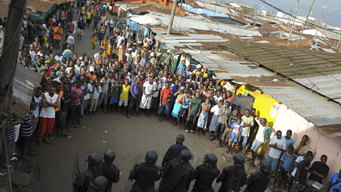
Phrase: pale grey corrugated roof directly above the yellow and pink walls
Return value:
(312, 107)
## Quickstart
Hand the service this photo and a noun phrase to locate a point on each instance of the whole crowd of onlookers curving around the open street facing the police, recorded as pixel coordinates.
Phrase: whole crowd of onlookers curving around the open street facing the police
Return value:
(131, 76)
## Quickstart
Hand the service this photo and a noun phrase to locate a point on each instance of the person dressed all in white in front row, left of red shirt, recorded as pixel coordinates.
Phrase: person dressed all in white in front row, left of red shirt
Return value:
(146, 100)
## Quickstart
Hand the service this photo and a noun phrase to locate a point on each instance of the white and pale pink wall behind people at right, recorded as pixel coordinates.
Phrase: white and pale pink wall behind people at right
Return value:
(319, 142)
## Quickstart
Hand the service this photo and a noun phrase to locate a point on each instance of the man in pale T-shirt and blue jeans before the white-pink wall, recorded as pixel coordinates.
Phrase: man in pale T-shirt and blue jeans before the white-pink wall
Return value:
(277, 145)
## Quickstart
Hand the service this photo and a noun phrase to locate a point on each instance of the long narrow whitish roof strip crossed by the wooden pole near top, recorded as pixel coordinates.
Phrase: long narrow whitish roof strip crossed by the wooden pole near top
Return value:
(183, 23)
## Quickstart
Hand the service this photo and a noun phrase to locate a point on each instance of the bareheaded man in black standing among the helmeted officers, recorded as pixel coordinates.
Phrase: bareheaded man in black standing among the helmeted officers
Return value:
(174, 151)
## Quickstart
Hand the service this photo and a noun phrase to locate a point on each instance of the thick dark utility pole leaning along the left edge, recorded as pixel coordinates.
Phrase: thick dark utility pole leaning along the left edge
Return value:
(8, 60)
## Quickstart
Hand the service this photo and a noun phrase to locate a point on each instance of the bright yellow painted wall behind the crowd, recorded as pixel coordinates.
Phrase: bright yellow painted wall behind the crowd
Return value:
(263, 104)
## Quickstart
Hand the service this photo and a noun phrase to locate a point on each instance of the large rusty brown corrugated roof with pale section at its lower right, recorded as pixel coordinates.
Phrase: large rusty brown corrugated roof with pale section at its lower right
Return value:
(316, 70)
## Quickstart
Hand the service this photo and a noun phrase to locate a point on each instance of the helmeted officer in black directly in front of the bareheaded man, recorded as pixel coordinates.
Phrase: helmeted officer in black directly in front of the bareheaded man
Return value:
(177, 174)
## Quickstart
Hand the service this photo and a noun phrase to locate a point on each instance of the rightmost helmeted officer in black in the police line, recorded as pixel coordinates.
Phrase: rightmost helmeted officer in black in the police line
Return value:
(258, 181)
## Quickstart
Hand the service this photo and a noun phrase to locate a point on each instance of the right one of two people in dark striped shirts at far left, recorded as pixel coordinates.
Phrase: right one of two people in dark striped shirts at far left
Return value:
(26, 131)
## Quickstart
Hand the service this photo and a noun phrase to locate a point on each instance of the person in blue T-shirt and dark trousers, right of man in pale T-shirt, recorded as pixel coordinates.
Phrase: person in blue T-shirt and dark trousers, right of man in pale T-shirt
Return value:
(287, 161)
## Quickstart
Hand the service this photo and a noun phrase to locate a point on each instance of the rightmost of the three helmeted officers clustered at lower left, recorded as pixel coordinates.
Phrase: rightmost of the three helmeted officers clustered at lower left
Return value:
(110, 171)
